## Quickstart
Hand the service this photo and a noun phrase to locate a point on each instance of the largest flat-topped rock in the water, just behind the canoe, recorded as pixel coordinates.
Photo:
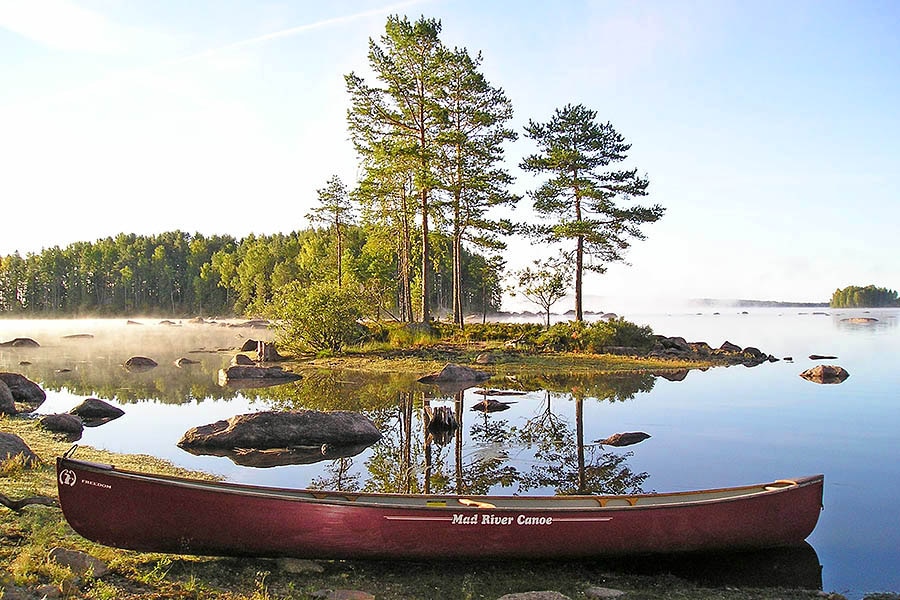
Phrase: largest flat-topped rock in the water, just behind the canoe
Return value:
(273, 429)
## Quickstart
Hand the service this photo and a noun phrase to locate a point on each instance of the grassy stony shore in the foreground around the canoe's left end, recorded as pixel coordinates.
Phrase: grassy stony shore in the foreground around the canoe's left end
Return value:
(28, 537)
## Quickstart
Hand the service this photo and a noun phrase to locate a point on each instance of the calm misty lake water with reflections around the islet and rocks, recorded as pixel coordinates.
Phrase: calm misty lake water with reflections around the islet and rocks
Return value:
(721, 427)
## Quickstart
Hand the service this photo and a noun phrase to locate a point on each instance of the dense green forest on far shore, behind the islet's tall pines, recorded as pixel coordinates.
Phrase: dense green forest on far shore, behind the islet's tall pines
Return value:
(180, 274)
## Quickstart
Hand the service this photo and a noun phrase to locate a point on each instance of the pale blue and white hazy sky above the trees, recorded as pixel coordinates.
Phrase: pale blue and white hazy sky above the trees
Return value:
(769, 130)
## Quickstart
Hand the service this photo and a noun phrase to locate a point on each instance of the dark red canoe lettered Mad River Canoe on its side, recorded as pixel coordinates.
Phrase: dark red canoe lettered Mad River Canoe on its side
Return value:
(156, 513)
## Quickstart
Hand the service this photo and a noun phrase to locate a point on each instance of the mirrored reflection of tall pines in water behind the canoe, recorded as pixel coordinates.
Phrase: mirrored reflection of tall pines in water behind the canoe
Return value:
(487, 452)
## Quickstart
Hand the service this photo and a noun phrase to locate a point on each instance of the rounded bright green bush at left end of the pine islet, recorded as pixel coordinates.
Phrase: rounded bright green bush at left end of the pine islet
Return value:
(321, 317)
